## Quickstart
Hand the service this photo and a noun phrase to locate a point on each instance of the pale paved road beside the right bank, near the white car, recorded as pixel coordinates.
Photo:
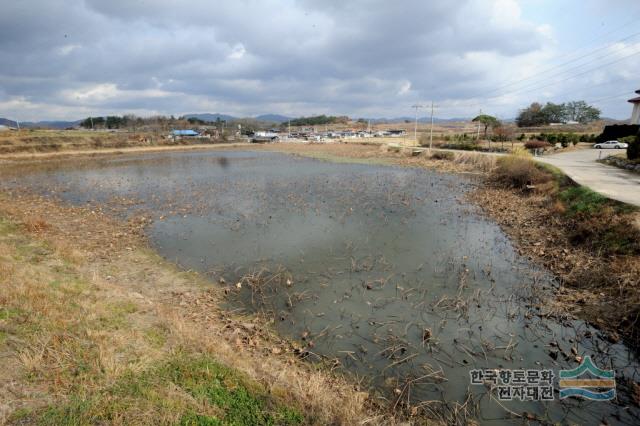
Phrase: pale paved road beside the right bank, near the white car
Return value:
(611, 181)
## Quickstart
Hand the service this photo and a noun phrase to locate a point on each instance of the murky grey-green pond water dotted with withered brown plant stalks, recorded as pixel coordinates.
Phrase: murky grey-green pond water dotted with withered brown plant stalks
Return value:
(383, 271)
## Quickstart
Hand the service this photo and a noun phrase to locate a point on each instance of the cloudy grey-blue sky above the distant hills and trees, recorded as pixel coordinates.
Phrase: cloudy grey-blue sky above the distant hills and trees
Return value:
(67, 59)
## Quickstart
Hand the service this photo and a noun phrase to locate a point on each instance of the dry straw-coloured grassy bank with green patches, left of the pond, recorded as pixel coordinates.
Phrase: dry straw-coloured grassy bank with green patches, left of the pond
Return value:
(97, 329)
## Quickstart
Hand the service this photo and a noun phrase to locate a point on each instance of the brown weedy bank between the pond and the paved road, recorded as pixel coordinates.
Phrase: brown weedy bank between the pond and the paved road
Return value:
(591, 243)
